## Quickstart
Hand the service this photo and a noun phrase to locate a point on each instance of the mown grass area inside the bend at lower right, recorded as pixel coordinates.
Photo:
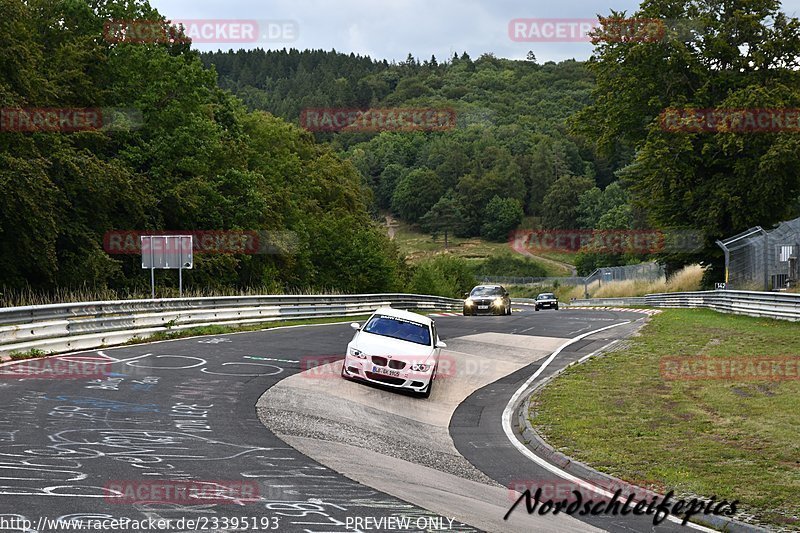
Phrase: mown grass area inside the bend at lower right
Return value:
(735, 440)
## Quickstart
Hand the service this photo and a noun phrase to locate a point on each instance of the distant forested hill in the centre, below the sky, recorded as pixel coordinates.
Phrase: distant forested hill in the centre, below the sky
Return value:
(509, 147)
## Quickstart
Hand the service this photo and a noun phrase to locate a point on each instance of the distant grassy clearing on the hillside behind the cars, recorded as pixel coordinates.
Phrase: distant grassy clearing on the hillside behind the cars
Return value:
(417, 246)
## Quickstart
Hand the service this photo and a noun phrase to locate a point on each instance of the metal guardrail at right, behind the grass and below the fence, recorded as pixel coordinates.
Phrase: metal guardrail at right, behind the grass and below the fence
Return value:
(783, 306)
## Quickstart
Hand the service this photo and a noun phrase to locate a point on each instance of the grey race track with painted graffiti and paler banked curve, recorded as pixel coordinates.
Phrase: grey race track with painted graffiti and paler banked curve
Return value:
(159, 421)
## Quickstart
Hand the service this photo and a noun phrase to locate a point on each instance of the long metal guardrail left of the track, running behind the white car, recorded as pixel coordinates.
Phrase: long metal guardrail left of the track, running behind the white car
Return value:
(84, 326)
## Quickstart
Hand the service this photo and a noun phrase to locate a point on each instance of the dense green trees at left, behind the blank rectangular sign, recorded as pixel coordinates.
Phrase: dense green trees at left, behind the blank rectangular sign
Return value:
(198, 161)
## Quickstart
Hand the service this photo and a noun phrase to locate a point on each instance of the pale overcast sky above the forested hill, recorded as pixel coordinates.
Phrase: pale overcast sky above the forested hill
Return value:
(391, 29)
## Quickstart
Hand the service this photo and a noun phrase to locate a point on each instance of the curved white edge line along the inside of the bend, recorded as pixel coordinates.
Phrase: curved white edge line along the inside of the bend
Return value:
(509, 411)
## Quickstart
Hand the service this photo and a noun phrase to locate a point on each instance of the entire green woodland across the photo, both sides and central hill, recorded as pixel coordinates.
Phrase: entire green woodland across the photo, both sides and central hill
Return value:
(552, 145)
